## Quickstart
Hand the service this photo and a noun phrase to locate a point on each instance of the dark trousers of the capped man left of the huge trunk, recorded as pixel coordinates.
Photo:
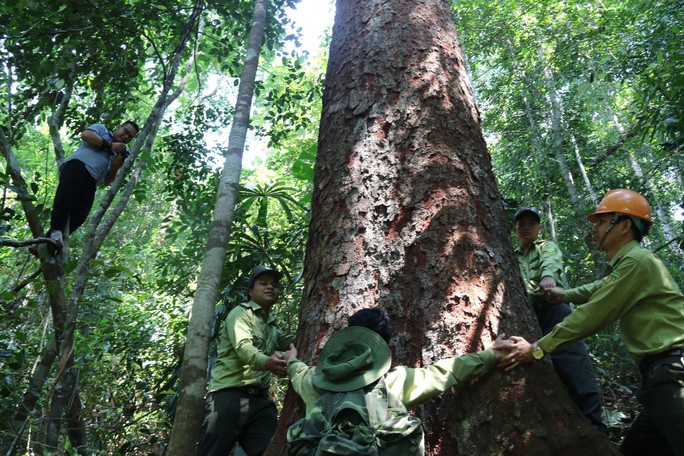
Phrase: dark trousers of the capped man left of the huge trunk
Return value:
(235, 417)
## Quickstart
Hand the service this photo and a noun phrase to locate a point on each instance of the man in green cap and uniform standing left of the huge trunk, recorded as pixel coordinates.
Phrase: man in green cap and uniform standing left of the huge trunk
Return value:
(238, 406)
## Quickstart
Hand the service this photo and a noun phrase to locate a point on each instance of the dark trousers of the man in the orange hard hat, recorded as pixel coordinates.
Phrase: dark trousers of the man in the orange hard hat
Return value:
(659, 428)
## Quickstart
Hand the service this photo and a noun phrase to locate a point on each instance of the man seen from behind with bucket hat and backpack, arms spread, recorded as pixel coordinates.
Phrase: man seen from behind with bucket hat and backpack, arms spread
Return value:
(350, 362)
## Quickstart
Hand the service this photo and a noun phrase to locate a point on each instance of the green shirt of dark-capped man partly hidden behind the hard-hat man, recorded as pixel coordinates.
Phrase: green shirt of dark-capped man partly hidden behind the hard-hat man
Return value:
(542, 259)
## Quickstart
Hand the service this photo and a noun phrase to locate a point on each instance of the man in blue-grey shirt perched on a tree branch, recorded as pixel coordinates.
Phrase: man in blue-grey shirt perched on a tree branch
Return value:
(96, 160)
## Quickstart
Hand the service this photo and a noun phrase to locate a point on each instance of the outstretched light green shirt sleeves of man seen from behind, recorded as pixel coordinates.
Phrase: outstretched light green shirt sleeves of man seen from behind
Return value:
(411, 385)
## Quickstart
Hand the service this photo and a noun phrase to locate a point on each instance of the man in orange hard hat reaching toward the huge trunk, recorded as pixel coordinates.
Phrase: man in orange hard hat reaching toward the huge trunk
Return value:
(641, 294)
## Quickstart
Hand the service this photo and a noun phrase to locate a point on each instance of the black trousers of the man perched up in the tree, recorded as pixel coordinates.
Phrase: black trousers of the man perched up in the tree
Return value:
(74, 197)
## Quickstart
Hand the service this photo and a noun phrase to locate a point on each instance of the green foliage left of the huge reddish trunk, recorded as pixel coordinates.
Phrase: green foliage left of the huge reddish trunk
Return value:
(130, 337)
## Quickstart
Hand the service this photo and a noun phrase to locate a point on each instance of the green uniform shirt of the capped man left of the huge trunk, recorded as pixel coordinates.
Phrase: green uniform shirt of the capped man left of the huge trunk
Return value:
(247, 339)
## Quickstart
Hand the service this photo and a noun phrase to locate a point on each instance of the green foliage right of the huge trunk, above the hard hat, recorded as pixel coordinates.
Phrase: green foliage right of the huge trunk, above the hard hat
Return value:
(614, 111)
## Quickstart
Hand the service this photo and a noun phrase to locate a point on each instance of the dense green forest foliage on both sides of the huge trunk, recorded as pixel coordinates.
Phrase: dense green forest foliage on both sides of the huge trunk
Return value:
(576, 98)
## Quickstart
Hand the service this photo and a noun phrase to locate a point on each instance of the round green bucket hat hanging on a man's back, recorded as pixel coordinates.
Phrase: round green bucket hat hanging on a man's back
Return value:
(351, 359)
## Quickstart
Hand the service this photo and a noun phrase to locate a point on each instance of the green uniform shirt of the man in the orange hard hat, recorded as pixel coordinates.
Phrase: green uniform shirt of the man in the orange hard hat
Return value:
(640, 293)
